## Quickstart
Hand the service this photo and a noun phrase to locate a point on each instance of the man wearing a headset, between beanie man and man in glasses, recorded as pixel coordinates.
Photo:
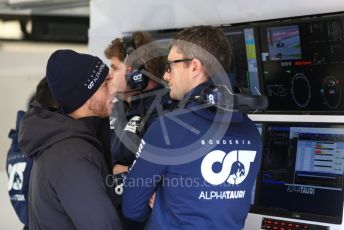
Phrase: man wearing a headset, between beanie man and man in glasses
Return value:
(136, 84)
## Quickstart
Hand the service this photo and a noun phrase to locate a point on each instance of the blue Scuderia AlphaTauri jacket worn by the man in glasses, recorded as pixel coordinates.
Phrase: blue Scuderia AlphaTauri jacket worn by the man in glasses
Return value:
(201, 163)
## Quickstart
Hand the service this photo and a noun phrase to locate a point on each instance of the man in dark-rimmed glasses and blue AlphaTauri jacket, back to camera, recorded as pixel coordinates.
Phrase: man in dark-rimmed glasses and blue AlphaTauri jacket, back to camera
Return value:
(200, 162)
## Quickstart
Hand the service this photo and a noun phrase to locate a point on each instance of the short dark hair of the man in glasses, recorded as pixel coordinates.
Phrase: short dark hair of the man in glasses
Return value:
(210, 38)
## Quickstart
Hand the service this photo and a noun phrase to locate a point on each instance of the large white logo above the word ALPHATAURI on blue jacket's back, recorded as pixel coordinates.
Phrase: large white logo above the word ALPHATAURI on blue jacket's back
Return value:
(235, 166)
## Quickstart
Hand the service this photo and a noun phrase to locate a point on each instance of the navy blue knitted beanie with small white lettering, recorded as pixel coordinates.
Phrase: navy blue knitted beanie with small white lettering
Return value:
(74, 77)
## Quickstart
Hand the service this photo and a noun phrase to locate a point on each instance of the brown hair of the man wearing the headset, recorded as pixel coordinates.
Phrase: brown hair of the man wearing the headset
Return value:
(116, 49)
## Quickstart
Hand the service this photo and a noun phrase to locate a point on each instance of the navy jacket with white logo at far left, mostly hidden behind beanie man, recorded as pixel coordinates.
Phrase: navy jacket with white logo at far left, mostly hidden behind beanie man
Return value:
(18, 167)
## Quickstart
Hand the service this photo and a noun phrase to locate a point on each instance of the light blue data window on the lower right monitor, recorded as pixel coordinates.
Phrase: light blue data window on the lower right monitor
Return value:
(319, 158)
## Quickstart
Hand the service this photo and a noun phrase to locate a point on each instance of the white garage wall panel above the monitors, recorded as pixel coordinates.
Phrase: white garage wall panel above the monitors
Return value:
(109, 19)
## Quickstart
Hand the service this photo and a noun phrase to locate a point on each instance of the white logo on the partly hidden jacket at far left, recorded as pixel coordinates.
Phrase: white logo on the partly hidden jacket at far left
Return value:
(16, 176)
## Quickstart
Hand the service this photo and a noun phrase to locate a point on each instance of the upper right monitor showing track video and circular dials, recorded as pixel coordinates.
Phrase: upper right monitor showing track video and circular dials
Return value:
(303, 65)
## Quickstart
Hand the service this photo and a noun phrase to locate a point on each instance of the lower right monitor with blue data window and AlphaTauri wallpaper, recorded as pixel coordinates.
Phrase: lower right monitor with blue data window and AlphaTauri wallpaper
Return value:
(301, 175)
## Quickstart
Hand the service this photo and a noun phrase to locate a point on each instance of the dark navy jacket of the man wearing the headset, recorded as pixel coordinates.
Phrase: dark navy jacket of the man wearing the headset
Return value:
(130, 123)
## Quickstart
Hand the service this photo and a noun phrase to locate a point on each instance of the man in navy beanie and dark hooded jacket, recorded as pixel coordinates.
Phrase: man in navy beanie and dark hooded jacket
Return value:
(67, 184)
